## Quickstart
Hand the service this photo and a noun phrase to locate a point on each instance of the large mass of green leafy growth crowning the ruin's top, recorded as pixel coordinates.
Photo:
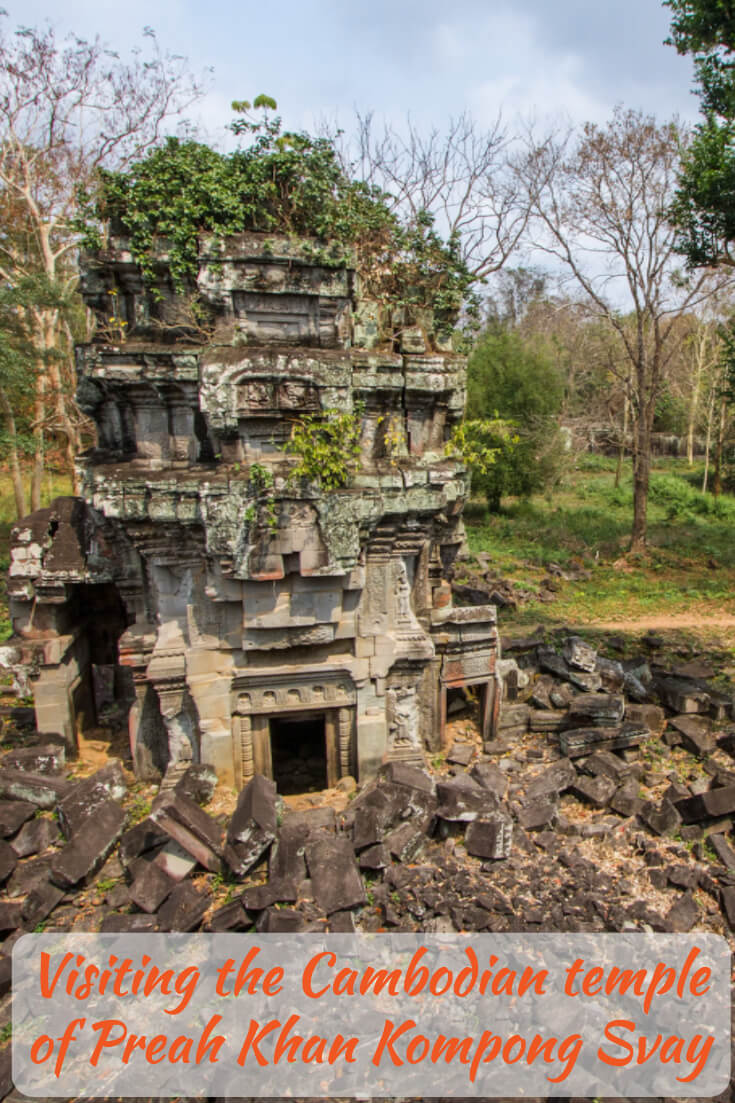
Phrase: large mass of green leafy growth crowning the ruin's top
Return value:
(280, 183)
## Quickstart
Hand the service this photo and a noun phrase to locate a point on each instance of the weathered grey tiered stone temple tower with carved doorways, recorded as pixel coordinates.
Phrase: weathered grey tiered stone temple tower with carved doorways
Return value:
(290, 631)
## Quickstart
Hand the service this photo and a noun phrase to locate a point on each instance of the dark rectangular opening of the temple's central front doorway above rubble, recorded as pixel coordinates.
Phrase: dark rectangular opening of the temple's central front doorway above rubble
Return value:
(299, 751)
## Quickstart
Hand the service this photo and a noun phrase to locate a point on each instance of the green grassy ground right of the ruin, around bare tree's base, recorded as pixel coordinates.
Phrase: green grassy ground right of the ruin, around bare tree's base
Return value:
(689, 570)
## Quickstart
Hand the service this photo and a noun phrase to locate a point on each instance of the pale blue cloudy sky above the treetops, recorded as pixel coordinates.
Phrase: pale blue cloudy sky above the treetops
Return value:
(432, 59)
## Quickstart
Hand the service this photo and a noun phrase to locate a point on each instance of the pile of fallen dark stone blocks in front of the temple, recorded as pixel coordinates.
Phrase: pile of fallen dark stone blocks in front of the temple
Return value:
(606, 804)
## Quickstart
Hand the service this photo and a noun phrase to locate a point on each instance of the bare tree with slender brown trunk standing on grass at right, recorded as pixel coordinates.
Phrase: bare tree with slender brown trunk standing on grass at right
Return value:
(601, 202)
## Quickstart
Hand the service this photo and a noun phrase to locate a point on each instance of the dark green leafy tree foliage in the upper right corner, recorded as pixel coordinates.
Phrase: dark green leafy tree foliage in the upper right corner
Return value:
(705, 207)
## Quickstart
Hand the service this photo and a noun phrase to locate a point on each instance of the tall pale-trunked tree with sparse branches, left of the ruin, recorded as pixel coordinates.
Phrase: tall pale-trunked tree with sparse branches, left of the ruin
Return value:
(67, 111)
